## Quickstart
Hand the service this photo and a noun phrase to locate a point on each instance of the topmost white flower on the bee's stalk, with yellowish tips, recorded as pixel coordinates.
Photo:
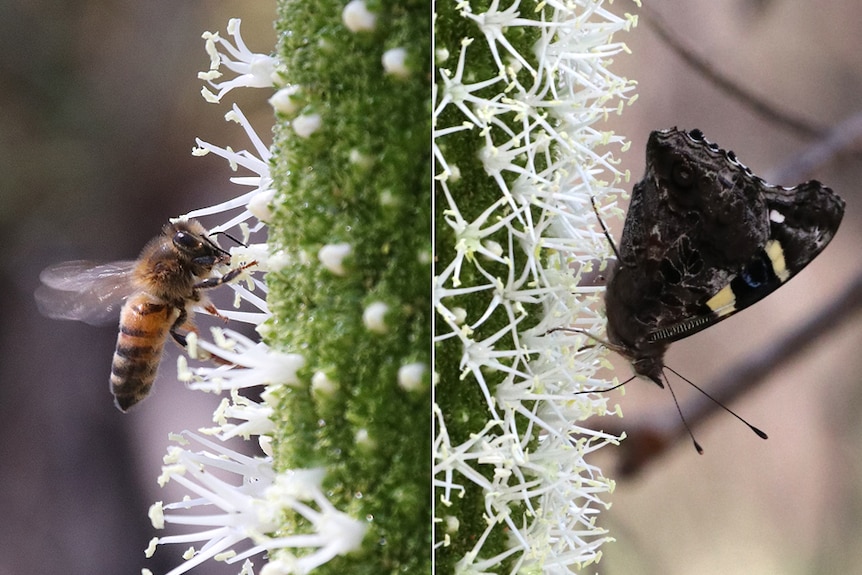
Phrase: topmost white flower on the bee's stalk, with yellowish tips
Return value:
(253, 70)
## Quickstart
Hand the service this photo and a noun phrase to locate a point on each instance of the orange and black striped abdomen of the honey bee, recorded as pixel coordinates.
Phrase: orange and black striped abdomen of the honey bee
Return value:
(144, 326)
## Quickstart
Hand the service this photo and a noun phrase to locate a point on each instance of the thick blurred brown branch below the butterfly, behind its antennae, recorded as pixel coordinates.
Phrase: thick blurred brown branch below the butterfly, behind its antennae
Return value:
(646, 441)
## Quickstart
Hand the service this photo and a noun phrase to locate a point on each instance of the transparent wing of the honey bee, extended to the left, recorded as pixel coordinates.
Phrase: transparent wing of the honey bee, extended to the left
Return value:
(84, 291)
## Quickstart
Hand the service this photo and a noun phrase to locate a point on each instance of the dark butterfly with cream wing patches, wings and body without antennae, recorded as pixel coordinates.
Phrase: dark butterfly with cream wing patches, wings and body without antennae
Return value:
(704, 238)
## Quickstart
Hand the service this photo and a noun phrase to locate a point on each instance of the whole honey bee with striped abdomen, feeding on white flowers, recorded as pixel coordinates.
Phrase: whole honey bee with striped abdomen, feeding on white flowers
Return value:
(159, 289)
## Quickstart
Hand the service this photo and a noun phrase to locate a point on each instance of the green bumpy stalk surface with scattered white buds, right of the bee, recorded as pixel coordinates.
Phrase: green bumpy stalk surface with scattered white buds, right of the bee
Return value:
(361, 179)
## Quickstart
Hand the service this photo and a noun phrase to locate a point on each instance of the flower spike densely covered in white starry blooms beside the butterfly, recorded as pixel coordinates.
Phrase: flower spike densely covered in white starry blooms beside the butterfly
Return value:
(532, 124)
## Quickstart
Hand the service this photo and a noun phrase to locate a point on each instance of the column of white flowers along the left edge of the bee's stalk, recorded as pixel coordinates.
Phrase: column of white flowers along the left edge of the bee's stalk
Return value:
(242, 500)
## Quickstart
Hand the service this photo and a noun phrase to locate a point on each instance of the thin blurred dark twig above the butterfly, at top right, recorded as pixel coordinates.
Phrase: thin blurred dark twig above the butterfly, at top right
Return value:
(765, 109)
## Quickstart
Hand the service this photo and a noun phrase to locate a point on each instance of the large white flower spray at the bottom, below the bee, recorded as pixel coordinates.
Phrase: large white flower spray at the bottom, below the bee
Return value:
(247, 507)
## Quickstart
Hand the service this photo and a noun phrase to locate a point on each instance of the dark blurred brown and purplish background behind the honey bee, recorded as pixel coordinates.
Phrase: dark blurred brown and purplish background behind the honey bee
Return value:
(99, 109)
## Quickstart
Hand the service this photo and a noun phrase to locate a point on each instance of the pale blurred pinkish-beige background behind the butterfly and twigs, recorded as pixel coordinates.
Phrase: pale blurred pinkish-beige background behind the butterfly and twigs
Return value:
(791, 504)
